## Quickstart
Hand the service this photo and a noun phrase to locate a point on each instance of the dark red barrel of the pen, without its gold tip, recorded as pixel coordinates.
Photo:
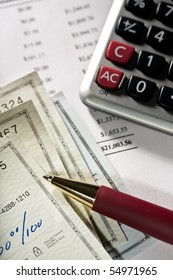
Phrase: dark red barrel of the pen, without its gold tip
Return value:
(141, 215)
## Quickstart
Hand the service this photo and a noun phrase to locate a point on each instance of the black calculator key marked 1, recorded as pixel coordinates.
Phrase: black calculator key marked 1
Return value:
(151, 64)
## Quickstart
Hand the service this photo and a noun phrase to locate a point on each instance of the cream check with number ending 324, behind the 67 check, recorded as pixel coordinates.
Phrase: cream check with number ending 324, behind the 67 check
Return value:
(30, 88)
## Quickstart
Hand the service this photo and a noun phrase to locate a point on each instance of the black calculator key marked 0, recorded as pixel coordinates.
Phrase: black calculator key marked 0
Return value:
(140, 88)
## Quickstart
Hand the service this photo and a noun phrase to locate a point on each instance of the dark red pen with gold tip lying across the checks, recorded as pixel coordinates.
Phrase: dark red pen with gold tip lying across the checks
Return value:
(139, 214)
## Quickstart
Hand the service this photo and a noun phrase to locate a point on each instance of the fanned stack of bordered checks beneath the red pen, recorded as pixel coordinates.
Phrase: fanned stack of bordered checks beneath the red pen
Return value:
(40, 136)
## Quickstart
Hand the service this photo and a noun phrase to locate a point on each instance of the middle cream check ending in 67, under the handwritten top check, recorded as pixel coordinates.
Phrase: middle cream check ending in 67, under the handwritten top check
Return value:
(25, 122)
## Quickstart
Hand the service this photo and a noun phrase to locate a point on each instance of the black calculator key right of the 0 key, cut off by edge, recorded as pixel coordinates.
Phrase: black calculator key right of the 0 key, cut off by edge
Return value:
(166, 98)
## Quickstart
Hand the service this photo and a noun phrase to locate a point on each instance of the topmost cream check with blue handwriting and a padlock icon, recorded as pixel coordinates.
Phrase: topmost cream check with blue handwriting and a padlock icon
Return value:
(33, 224)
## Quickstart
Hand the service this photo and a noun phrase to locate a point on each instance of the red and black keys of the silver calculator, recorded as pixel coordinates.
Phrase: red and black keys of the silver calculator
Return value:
(149, 63)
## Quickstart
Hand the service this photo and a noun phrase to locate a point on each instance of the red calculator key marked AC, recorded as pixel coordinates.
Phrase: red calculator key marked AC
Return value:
(109, 77)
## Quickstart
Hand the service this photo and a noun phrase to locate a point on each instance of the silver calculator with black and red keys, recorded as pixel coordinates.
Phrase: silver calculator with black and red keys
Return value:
(131, 71)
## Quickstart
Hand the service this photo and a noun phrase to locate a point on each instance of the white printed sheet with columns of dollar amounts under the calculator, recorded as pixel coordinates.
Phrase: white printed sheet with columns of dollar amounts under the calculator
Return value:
(57, 39)
